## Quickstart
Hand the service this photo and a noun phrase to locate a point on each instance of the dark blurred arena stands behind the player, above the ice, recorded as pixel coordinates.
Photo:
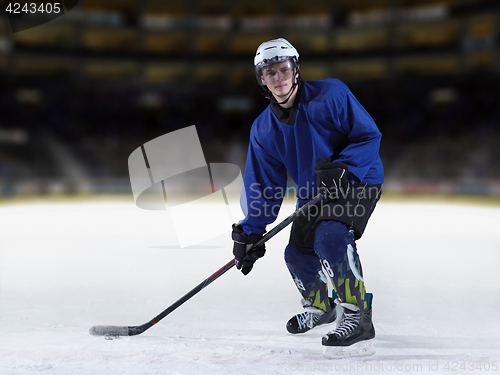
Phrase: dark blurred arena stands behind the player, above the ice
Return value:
(80, 93)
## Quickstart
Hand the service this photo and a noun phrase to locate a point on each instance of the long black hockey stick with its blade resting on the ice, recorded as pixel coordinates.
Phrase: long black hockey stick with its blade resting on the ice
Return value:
(136, 330)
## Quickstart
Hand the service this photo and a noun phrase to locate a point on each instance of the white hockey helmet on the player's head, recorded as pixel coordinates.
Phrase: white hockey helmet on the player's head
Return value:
(272, 52)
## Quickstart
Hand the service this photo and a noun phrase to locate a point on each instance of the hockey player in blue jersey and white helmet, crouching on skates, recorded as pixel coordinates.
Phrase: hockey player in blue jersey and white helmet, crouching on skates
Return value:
(324, 138)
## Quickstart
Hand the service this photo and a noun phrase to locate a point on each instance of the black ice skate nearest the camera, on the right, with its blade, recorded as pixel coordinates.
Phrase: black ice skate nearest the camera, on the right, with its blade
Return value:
(353, 336)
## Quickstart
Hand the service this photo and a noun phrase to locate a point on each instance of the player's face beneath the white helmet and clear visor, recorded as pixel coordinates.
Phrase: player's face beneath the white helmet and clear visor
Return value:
(279, 79)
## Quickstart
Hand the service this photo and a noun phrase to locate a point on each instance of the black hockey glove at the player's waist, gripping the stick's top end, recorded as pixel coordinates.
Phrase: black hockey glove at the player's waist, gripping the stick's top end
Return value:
(332, 176)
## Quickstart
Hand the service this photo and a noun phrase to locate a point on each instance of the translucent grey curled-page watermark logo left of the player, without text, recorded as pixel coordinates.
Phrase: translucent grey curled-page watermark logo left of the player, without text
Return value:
(201, 199)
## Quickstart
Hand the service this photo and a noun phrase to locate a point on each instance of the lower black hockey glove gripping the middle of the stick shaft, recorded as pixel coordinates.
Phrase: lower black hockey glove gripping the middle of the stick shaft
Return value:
(242, 244)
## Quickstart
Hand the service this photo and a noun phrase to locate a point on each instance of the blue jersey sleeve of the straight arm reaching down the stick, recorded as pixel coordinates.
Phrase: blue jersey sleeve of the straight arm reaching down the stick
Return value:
(264, 186)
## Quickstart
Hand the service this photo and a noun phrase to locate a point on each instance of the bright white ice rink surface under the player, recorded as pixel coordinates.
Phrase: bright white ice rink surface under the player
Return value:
(433, 269)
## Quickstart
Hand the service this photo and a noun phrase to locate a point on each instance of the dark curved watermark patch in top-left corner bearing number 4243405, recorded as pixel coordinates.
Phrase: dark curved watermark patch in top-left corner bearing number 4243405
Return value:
(23, 15)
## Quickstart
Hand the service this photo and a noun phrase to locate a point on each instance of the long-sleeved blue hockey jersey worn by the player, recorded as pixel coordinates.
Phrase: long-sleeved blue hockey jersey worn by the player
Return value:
(329, 122)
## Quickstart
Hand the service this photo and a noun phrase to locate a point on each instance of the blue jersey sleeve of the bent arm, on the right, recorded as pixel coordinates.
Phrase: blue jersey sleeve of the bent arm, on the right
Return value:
(363, 136)
